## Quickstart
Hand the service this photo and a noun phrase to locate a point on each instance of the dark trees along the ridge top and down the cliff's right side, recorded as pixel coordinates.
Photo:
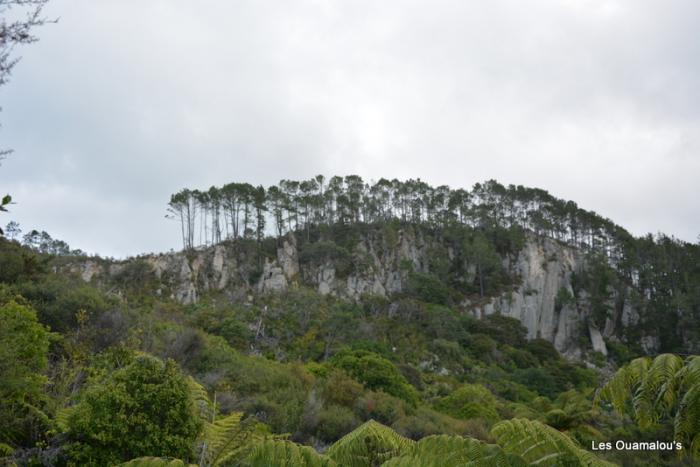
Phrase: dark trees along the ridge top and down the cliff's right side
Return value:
(483, 225)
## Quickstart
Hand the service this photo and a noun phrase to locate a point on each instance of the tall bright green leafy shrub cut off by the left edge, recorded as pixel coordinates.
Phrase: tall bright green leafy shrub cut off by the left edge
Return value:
(24, 345)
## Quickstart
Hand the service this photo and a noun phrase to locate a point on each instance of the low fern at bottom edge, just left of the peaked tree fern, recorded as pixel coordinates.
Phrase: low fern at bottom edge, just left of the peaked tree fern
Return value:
(282, 453)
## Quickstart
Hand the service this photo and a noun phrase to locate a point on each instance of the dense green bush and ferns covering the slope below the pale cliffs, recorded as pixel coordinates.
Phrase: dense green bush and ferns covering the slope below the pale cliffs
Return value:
(93, 377)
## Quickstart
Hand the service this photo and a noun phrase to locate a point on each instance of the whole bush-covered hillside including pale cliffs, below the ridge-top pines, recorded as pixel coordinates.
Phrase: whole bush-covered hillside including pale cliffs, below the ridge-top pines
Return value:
(251, 352)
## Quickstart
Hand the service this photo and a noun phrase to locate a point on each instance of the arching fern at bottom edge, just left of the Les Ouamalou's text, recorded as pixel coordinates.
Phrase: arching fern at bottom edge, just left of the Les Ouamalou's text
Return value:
(539, 444)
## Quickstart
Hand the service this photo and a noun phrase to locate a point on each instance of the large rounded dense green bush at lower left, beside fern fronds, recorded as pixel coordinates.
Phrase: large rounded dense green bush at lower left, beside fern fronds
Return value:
(143, 409)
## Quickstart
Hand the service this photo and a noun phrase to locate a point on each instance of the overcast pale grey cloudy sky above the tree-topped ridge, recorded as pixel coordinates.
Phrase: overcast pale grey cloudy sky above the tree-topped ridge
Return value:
(124, 102)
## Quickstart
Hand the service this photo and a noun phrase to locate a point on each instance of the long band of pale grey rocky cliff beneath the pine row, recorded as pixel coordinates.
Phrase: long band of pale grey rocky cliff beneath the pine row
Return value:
(542, 294)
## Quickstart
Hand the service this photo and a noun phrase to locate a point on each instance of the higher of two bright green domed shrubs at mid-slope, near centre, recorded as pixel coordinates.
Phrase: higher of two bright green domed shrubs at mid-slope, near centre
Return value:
(376, 373)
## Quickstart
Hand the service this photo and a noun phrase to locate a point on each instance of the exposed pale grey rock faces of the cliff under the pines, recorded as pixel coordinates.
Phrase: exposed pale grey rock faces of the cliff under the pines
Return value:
(545, 268)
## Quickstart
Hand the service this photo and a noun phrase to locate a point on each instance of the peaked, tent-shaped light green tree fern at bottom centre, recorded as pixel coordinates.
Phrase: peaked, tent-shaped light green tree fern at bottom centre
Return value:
(369, 445)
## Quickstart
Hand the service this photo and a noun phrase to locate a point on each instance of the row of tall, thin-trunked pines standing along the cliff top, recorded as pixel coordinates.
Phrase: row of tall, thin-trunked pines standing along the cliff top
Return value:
(241, 210)
